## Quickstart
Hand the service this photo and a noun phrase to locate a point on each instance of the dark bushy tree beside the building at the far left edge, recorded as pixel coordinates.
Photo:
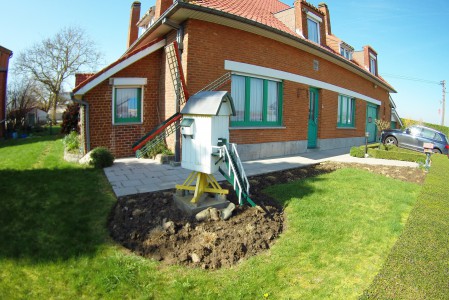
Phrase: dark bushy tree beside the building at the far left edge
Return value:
(21, 99)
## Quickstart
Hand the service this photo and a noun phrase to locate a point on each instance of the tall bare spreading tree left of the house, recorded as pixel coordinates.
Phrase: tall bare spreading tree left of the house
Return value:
(53, 60)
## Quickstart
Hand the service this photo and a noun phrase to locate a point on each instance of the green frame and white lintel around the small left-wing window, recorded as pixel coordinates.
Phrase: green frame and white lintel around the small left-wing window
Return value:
(128, 83)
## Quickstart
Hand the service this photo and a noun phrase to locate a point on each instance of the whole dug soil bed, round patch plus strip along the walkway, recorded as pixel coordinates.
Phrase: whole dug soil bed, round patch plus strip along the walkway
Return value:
(152, 226)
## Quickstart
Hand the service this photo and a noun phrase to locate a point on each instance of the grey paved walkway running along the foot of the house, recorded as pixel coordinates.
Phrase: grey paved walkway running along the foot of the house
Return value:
(133, 176)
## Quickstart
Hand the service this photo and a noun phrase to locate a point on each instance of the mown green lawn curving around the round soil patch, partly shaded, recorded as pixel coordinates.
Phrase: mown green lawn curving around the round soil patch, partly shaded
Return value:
(339, 230)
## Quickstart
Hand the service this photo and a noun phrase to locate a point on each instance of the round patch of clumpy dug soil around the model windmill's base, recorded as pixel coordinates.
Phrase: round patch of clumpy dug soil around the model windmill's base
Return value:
(152, 226)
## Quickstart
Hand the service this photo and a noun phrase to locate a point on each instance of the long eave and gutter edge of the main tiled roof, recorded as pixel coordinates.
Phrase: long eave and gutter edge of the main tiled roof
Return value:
(178, 5)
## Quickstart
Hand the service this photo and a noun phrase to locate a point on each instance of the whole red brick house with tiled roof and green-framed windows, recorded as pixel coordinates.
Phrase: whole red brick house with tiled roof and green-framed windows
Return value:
(295, 85)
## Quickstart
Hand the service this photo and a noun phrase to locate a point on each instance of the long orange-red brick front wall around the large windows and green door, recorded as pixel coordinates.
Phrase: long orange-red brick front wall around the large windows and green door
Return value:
(208, 45)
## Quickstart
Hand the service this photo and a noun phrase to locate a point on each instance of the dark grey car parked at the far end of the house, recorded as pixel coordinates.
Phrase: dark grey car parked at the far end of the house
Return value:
(414, 137)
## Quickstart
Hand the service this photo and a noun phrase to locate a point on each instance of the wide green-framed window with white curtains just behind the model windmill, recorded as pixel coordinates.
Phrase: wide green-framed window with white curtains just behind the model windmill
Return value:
(257, 102)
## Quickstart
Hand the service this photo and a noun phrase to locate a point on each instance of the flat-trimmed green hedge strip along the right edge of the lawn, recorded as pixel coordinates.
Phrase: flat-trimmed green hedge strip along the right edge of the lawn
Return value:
(418, 265)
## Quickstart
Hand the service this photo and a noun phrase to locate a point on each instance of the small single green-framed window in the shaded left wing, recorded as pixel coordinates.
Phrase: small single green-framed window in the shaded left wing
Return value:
(127, 105)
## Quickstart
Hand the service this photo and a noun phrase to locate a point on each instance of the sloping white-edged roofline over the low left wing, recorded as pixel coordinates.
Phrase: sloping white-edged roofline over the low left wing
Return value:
(115, 67)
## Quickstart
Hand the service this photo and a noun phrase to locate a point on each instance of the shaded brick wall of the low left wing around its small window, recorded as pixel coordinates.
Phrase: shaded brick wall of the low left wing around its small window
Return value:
(119, 138)
